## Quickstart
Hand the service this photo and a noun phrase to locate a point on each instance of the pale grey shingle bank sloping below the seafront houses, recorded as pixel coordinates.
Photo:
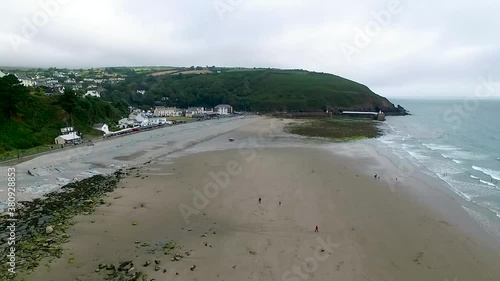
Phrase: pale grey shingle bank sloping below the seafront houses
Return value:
(46, 173)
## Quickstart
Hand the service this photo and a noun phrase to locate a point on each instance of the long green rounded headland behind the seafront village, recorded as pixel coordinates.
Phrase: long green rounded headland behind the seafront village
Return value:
(252, 90)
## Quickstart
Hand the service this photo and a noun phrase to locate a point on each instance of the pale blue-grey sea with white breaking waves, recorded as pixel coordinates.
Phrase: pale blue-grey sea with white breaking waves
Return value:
(456, 141)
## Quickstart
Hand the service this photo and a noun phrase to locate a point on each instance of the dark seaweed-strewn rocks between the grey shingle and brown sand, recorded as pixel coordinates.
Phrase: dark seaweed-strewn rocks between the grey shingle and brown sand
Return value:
(41, 224)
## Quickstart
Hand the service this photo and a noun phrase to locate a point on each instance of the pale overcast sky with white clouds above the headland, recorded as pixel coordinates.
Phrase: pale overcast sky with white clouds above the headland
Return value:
(412, 48)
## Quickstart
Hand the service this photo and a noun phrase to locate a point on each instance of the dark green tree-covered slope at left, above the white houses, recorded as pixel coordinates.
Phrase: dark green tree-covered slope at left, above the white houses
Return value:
(30, 119)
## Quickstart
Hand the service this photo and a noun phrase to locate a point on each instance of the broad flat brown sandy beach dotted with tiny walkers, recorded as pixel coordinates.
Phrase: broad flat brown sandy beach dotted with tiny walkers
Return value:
(205, 201)
